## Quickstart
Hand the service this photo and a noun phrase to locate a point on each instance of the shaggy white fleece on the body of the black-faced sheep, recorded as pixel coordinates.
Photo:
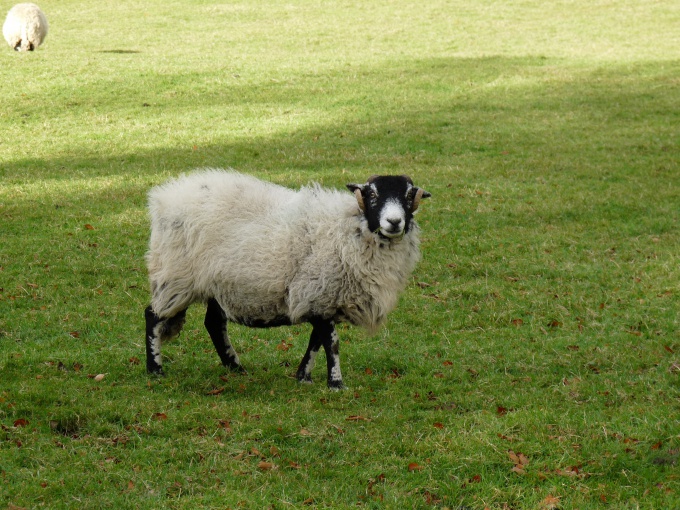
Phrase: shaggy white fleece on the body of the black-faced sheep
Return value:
(265, 252)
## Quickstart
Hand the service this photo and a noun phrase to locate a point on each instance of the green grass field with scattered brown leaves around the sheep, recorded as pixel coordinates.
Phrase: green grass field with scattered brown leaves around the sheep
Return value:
(534, 361)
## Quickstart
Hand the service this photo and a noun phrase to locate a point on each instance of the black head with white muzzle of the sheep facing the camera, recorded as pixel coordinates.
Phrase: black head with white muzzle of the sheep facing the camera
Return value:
(388, 203)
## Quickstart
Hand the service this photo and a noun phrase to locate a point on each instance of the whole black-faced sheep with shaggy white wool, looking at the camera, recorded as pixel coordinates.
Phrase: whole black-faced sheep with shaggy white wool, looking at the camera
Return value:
(263, 255)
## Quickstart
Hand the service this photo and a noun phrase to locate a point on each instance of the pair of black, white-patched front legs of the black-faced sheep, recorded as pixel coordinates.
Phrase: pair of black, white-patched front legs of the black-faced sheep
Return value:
(323, 333)
